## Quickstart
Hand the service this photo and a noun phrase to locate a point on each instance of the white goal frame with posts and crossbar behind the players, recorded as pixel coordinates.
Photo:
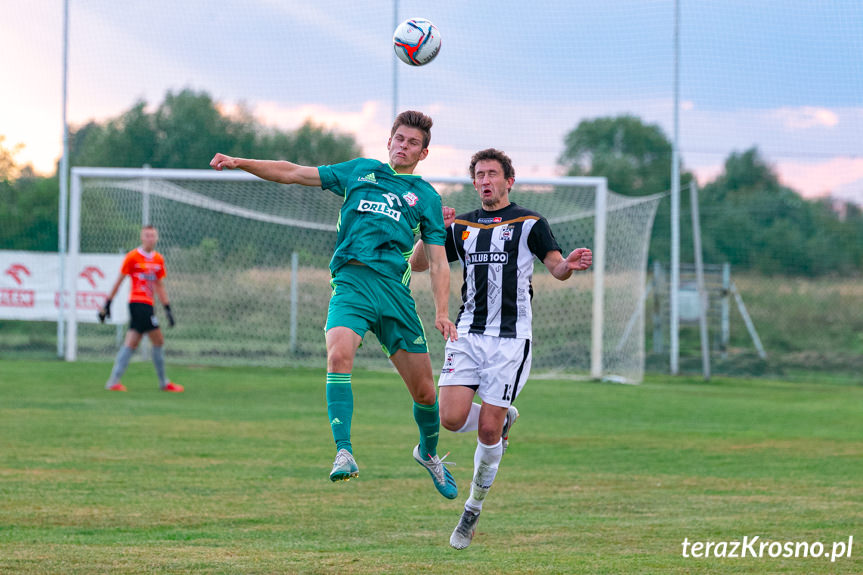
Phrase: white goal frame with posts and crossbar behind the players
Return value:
(70, 317)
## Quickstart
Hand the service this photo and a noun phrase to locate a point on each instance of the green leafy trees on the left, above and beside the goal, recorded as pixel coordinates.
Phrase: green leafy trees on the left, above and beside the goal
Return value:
(184, 131)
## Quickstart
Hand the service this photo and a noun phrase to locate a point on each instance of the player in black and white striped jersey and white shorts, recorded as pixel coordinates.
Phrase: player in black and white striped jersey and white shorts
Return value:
(496, 245)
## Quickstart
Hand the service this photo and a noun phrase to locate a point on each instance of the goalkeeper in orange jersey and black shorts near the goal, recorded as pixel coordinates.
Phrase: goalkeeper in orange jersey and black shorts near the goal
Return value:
(146, 268)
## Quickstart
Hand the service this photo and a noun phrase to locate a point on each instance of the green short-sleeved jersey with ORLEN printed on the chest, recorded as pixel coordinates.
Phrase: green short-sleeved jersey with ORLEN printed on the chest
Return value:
(382, 213)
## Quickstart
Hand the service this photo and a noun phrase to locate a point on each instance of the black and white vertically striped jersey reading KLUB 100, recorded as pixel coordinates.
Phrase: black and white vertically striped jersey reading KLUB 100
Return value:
(496, 250)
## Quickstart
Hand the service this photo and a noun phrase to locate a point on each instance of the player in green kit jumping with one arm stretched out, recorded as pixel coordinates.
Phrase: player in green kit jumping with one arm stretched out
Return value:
(384, 206)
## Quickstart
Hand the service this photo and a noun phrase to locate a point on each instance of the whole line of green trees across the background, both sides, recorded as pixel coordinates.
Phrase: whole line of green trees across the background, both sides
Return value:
(748, 217)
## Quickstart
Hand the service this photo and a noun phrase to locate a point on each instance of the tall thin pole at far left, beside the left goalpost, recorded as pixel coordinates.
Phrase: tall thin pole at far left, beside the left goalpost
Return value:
(64, 192)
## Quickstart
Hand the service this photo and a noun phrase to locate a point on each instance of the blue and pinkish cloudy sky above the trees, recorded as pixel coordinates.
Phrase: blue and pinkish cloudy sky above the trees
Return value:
(786, 76)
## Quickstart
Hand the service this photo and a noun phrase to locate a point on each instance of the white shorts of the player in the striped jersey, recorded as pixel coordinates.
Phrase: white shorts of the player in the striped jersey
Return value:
(496, 367)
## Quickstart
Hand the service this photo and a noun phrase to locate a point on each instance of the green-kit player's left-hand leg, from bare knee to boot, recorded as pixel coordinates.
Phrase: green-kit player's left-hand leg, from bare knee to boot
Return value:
(342, 343)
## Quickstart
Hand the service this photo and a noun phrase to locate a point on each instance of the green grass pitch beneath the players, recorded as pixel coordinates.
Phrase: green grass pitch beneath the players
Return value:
(231, 477)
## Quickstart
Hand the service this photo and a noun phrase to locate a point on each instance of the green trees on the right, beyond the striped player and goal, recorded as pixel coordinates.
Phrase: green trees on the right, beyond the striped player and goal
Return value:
(748, 218)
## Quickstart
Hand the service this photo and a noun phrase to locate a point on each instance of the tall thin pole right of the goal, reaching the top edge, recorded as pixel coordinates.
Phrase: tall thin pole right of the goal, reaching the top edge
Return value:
(675, 202)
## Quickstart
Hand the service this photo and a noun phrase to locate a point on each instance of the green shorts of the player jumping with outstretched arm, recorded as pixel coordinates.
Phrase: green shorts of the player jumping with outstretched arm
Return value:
(364, 300)
